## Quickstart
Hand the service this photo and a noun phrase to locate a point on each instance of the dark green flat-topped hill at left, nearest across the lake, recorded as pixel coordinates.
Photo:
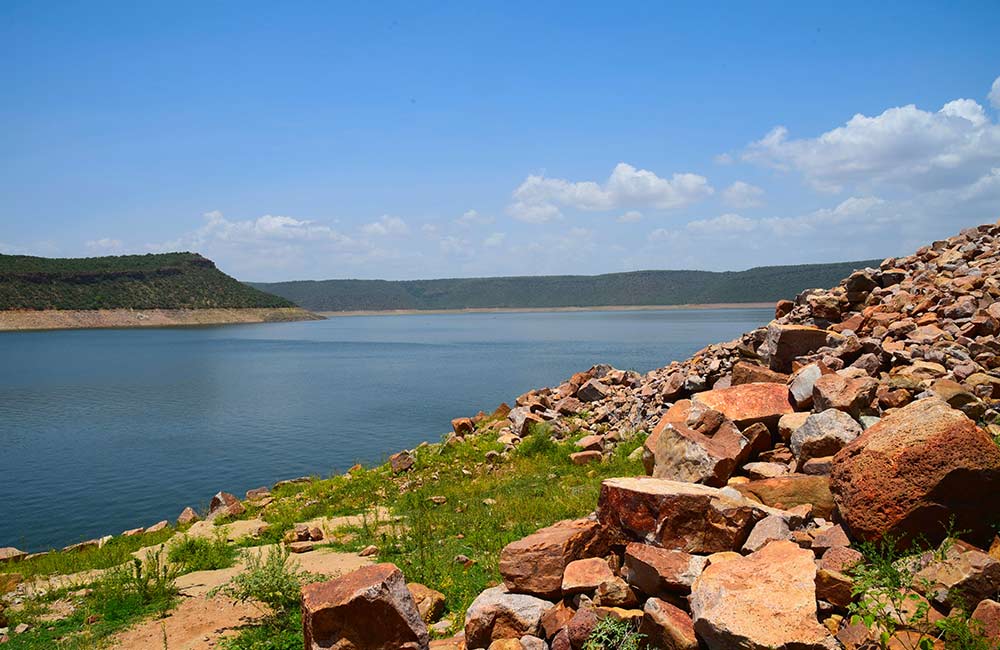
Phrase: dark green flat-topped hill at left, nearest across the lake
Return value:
(163, 281)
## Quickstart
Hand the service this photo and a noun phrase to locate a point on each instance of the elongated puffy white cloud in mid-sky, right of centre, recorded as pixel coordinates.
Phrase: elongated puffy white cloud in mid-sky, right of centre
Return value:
(538, 198)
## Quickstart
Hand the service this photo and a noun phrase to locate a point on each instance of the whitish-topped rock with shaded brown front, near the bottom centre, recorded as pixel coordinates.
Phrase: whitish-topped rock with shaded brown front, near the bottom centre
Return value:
(499, 614)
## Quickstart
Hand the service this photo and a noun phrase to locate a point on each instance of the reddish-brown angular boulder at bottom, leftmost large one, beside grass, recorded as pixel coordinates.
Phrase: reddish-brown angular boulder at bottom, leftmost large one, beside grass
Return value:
(367, 609)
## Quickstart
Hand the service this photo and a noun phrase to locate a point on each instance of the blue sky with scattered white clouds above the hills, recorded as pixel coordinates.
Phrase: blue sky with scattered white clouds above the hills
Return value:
(390, 140)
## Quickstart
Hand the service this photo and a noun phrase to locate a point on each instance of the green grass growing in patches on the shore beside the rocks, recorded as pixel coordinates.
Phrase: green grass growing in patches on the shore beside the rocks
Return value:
(488, 505)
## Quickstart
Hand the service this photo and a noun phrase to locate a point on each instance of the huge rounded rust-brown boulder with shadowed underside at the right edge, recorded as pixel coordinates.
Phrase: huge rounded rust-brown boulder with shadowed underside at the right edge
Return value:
(915, 469)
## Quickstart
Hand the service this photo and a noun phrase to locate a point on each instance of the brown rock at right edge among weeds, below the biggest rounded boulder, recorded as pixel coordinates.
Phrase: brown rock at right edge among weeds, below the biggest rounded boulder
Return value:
(960, 574)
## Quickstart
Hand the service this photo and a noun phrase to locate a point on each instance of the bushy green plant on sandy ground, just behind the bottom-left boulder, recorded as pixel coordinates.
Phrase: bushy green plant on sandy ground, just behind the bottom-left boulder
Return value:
(272, 581)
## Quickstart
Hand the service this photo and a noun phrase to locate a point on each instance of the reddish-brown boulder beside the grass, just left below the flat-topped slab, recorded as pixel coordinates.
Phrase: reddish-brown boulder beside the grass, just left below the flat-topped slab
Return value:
(535, 564)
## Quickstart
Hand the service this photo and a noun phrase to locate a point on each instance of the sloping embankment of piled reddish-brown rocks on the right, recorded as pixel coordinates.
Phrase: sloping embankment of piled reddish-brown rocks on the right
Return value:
(861, 414)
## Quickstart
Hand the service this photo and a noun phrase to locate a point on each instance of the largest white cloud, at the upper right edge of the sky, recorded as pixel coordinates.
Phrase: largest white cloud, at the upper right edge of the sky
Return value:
(903, 146)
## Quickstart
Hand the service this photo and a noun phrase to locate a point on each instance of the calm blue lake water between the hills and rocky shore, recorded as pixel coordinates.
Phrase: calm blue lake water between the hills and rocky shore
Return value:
(105, 430)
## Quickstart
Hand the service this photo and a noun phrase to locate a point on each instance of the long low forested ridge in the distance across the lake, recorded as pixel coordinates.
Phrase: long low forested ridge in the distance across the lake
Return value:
(762, 284)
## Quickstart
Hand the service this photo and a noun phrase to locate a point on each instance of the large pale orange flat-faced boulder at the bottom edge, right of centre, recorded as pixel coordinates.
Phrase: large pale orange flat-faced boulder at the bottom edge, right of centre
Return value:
(765, 600)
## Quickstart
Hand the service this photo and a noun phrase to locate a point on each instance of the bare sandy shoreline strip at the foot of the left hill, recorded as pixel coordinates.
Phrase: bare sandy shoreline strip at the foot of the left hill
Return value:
(110, 318)
